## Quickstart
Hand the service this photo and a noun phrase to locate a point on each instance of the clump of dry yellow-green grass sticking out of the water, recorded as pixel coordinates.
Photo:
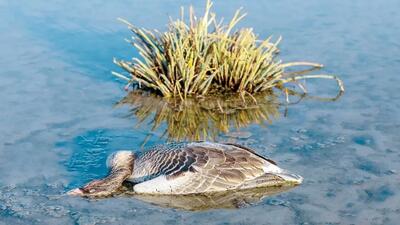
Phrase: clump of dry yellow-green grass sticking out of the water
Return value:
(203, 56)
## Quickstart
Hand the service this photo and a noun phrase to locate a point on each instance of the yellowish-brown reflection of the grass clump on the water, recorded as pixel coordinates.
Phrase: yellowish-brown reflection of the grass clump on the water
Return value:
(201, 118)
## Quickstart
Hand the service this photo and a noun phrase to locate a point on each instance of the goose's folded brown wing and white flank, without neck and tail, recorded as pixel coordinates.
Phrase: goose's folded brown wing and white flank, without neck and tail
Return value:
(203, 167)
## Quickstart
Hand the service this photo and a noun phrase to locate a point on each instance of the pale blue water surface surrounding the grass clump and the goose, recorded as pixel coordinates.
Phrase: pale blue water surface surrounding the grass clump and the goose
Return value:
(58, 123)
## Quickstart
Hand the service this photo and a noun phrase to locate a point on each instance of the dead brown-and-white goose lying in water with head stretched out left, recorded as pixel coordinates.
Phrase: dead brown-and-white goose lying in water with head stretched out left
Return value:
(189, 168)
